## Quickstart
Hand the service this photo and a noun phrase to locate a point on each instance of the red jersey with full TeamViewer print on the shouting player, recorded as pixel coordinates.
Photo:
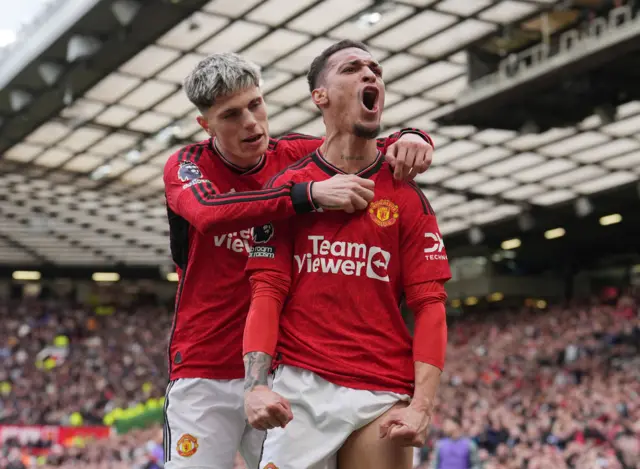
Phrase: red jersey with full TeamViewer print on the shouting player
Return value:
(342, 316)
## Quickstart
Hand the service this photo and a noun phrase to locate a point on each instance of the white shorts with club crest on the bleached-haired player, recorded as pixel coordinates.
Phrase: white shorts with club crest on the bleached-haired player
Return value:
(205, 425)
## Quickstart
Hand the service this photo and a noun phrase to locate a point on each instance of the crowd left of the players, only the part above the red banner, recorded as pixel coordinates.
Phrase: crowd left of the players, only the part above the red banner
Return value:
(113, 360)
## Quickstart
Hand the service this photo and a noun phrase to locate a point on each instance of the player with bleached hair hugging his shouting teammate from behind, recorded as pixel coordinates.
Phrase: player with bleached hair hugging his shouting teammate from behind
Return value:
(214, 197)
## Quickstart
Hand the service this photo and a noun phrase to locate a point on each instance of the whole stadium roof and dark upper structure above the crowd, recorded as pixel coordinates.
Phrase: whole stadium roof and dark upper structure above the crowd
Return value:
(534, 106)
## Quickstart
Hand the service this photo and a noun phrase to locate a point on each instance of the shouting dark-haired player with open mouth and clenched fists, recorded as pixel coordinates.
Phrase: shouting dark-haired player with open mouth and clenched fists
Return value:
(345, 356)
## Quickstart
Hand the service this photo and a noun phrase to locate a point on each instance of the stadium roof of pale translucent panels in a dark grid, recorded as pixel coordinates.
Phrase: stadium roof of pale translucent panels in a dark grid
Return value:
(81, 182)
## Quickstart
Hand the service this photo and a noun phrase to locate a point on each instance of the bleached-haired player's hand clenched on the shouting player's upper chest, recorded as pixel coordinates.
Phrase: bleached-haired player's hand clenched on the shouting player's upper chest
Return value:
(343, 192)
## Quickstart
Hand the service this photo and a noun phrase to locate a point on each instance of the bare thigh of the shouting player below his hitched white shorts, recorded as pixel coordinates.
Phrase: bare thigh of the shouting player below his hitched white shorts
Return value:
(364, 449)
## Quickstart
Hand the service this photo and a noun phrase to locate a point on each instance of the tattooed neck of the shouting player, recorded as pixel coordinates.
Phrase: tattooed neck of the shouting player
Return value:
(349, 153)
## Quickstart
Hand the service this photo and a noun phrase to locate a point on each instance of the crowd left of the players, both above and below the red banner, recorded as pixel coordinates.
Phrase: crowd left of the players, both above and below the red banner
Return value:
(70, 365)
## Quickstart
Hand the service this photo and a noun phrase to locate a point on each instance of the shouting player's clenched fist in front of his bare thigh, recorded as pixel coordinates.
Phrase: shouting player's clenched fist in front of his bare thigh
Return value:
(407, 426)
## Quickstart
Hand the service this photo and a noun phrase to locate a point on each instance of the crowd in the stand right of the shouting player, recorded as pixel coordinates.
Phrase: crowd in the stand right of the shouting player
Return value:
(556, 389)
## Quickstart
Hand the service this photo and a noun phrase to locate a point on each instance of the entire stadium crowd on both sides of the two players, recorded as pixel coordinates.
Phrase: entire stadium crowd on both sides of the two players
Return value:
(533, 389)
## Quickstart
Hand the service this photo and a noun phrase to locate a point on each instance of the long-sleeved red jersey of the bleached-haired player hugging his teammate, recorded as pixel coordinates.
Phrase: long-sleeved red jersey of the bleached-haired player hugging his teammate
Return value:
(210, 219)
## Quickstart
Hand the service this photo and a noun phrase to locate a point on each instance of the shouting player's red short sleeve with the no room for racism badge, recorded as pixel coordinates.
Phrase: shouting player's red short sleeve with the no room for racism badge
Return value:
(271, 248)
